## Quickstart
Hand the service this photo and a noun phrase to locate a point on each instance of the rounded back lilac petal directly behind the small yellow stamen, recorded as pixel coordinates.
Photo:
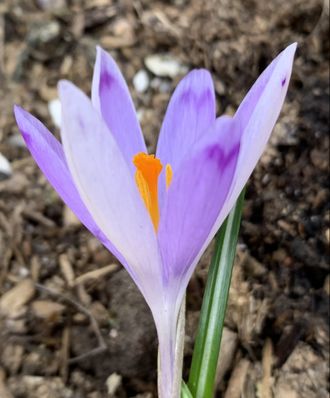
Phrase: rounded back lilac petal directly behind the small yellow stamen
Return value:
(190, 113)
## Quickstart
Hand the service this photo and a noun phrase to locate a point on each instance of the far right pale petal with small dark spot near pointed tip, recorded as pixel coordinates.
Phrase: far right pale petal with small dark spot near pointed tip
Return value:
(256, 116)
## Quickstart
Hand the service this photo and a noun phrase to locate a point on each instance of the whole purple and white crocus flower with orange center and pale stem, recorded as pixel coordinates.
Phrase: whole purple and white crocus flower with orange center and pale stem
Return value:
(156, 213)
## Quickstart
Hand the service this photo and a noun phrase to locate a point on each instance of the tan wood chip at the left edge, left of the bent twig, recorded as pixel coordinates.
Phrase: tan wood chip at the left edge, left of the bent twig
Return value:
(13, 300)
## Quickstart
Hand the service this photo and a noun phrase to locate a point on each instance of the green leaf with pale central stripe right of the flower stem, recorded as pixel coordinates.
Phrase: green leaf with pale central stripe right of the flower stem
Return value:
(208, 340)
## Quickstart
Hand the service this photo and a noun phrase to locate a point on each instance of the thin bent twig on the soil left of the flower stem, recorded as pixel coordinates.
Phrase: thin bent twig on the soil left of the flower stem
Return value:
(101, 343)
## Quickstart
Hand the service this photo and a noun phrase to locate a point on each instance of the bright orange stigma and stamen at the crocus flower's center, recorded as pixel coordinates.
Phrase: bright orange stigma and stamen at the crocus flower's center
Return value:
(148, 169)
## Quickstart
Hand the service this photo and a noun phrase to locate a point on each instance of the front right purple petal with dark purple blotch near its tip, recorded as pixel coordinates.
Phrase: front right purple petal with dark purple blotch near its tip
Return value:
(195, 198)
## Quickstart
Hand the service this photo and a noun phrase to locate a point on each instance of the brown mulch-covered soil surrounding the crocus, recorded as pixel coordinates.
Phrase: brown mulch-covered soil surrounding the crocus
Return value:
(72, 323)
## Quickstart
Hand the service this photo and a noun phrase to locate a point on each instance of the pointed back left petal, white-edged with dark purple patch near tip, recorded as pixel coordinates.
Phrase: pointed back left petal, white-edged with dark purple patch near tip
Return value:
(110, 96)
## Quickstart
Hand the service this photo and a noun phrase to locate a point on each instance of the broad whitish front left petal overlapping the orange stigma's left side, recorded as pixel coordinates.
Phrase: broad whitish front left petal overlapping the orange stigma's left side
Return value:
(104, 182)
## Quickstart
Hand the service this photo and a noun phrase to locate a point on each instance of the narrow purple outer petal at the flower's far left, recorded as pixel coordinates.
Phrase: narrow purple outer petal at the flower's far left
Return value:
(49, 156)
